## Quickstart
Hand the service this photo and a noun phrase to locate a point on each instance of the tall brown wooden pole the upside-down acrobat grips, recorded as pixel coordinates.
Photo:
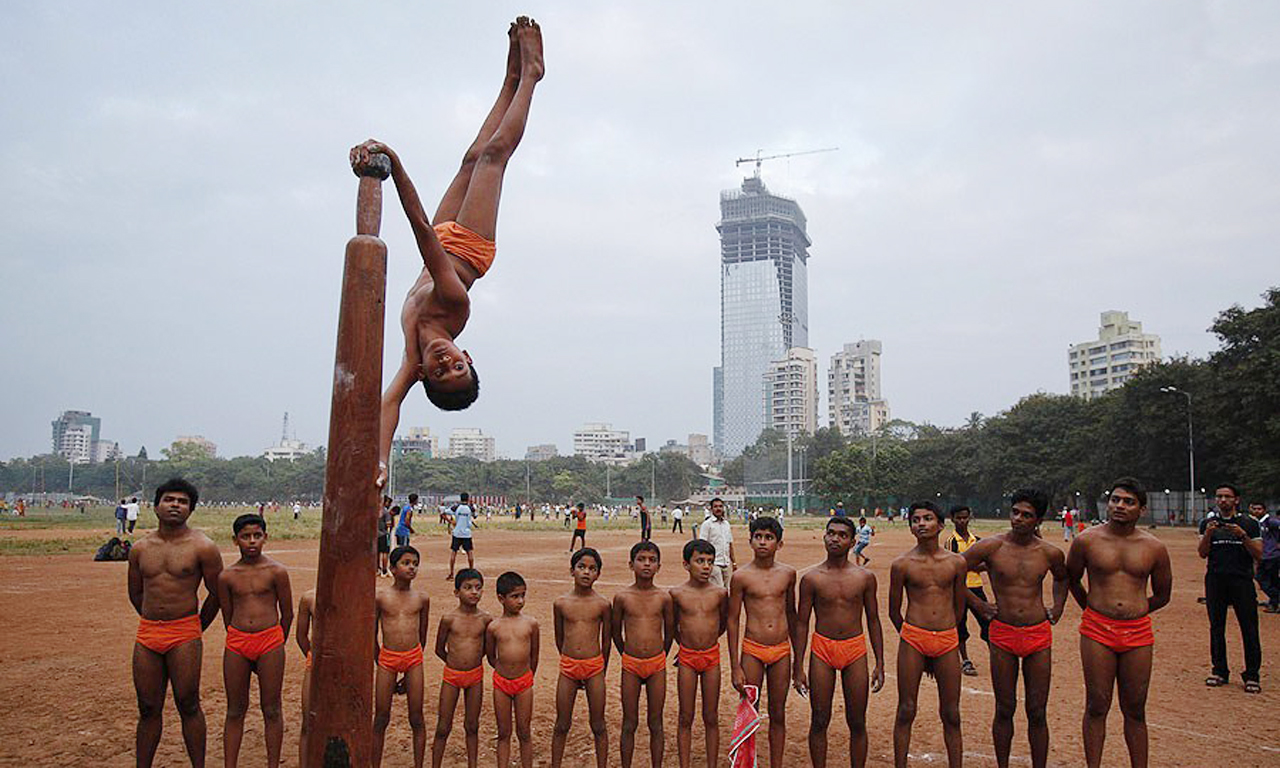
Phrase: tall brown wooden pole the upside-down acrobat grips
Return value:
(342, 648)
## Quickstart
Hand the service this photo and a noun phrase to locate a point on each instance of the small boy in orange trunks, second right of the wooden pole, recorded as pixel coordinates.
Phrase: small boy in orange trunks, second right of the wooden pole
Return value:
(460, 644)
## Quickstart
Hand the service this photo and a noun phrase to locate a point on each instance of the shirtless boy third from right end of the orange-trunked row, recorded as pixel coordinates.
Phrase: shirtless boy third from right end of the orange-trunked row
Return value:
(934, 580)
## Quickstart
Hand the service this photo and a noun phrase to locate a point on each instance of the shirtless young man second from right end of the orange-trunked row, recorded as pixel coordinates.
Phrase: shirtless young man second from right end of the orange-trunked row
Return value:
(1021, 634)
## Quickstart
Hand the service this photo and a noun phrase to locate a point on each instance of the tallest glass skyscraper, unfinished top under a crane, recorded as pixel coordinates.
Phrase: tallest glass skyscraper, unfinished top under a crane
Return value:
(765, 305)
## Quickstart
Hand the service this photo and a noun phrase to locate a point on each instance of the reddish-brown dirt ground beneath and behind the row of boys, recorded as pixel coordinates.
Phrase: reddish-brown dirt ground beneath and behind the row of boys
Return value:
(67, 698)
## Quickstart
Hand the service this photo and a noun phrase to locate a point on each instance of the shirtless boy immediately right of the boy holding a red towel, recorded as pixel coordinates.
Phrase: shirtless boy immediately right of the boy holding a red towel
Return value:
(839, 595)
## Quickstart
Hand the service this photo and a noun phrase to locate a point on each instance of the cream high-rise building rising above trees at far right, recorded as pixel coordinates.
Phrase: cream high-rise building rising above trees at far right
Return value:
(1114, 358)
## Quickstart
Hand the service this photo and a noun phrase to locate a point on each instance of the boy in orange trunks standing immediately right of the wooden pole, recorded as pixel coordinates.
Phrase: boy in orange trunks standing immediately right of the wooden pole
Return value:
(401, 620)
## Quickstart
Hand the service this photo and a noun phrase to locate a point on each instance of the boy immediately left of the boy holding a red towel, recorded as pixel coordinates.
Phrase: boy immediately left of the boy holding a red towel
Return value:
(701, 615)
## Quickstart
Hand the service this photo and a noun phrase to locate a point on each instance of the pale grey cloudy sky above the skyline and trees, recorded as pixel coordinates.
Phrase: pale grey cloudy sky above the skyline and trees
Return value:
(176, 198)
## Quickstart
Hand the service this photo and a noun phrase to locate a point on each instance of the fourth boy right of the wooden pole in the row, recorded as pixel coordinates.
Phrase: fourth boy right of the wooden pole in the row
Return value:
(583, 633)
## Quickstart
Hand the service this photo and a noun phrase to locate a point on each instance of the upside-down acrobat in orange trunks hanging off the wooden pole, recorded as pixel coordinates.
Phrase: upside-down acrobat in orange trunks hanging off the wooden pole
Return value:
(460, 249)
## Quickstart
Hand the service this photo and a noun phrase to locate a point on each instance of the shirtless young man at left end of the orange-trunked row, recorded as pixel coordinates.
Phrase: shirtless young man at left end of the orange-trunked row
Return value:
(166, 570)
